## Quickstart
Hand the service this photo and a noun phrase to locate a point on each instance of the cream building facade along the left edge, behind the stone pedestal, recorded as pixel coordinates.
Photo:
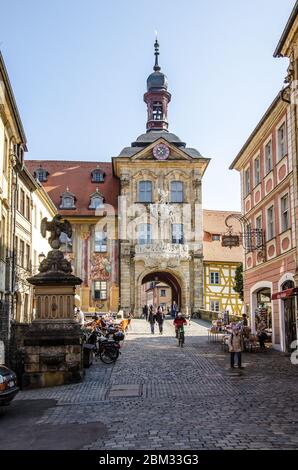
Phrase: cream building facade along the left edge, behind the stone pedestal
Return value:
(18, 190)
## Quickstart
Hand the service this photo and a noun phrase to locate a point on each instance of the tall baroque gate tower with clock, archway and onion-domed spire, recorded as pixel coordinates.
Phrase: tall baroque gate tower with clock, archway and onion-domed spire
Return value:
(160, 209)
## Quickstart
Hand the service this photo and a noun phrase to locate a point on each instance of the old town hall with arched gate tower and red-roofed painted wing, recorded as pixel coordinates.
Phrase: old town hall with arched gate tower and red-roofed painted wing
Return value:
(135, 220)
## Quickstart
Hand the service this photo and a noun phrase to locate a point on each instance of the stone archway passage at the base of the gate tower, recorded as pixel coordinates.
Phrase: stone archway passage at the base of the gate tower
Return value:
(170, 278)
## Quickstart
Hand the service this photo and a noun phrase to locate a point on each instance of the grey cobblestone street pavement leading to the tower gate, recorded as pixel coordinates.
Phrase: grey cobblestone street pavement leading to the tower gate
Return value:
(159, 396)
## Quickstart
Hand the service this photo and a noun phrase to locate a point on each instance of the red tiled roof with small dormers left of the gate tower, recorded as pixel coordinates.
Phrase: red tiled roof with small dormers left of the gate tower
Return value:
(76, 176)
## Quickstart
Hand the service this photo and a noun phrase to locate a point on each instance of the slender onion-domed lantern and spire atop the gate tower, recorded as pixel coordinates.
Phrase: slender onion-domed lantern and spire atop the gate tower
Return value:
(157, 97)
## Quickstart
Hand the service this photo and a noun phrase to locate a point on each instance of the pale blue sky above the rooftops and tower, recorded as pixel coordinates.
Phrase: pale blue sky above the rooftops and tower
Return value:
(79, 68)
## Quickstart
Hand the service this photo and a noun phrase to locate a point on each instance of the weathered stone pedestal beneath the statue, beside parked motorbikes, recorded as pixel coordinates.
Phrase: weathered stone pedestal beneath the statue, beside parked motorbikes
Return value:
(53, 344)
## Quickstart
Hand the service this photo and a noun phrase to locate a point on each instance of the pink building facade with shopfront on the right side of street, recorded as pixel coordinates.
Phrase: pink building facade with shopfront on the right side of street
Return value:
(266, 164)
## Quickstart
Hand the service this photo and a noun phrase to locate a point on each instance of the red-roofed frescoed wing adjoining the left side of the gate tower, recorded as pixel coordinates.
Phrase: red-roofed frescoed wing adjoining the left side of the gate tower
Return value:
(86, 194)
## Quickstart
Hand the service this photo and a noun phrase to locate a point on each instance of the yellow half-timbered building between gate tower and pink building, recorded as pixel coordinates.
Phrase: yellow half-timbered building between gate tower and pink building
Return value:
(220, 264)
